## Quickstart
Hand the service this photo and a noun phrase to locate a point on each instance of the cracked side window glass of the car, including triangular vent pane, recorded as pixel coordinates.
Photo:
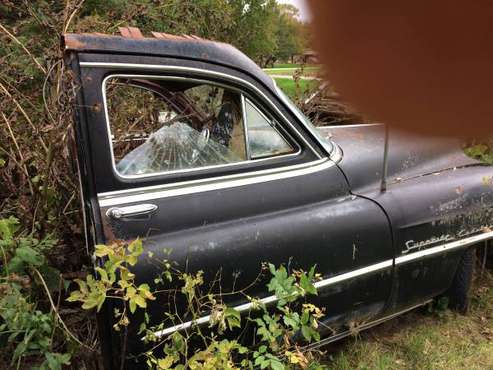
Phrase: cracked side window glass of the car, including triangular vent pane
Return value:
(164, 125)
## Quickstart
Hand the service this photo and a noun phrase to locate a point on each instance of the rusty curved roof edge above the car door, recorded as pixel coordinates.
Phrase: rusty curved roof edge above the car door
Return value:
(162, 44)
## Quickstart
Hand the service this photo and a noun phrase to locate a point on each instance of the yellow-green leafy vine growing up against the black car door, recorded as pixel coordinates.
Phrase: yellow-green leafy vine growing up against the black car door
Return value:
(281, 330)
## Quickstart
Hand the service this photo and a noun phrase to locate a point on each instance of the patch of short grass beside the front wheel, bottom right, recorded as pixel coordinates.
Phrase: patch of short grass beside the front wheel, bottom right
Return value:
(424, 340)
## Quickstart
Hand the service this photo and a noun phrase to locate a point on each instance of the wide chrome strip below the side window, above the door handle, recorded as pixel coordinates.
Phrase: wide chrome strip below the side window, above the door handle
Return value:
(119, 197)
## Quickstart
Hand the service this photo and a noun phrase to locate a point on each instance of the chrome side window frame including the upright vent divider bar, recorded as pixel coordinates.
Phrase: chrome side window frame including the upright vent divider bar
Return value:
(295, 142)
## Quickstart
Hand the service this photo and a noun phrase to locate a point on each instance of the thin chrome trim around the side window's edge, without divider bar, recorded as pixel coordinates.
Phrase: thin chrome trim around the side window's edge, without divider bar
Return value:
(185, 170)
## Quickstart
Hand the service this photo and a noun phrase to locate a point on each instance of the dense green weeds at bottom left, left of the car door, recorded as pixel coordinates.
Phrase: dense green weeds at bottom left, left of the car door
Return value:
(27, 329)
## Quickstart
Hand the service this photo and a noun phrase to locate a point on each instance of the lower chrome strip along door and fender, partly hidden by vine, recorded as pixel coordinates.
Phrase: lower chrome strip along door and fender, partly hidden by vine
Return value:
(381, 266)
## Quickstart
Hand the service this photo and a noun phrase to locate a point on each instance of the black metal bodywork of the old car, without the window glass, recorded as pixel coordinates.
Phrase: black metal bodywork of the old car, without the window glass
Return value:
(378, 252)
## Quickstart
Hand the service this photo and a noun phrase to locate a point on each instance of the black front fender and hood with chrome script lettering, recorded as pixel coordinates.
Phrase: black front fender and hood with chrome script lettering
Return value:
(436, 194)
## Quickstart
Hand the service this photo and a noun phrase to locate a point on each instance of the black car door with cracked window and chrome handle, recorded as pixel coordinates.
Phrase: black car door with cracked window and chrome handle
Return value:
(212, 170)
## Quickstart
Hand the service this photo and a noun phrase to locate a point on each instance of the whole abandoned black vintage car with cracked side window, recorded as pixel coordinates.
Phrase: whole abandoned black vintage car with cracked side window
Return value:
(187, 144)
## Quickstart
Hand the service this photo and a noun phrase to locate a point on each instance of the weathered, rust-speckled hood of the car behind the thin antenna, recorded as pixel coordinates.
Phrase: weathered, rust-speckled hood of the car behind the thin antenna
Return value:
(409, 155)
